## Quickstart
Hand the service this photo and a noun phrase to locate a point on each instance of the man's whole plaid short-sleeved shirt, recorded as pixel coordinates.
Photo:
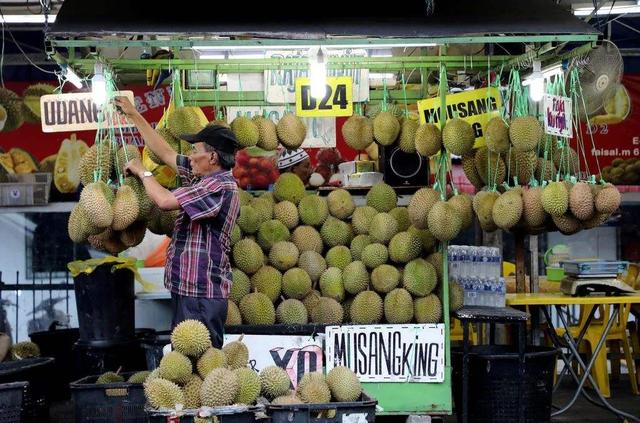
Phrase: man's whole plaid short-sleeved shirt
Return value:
(198, 262)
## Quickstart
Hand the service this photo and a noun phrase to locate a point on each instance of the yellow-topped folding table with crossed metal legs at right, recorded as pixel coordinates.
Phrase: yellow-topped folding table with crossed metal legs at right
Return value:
(559, 300)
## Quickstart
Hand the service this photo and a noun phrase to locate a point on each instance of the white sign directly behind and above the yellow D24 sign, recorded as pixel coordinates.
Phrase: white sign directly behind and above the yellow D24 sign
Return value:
(280, 84)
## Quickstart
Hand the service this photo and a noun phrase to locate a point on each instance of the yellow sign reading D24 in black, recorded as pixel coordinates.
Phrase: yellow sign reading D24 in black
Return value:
(337, 100)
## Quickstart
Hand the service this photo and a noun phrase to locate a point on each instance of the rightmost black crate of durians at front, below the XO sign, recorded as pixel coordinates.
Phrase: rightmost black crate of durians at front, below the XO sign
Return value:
(316, 413)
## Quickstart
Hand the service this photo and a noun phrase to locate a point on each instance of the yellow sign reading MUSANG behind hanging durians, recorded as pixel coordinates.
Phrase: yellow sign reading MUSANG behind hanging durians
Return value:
(476, 107)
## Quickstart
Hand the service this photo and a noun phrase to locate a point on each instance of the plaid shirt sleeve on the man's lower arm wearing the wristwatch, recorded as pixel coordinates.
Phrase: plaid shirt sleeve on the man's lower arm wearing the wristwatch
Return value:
(202, 200)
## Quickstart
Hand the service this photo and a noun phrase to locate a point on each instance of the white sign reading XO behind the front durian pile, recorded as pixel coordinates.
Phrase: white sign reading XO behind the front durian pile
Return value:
(296, 354)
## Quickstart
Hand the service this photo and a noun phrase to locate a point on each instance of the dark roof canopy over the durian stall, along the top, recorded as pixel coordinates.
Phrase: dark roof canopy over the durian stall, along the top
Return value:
(288, 19)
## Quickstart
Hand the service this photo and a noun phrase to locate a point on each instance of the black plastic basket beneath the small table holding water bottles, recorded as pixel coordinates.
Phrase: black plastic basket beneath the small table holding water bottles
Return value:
(494, 384)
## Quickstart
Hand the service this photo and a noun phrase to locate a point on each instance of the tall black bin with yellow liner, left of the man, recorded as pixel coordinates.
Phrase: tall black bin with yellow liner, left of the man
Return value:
(106, 306)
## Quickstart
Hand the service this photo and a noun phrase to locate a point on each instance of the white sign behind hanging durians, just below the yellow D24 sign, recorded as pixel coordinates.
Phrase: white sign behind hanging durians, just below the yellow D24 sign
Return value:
(321, 132)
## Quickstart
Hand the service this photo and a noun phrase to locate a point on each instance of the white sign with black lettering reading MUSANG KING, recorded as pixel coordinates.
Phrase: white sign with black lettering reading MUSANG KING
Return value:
(393, 353)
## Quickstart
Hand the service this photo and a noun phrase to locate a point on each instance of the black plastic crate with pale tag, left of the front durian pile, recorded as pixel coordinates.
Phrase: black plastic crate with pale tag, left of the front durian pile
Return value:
(109, 402)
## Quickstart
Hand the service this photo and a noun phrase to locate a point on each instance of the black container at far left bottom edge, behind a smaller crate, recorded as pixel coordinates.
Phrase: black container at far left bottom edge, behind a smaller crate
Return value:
(38, 372)
